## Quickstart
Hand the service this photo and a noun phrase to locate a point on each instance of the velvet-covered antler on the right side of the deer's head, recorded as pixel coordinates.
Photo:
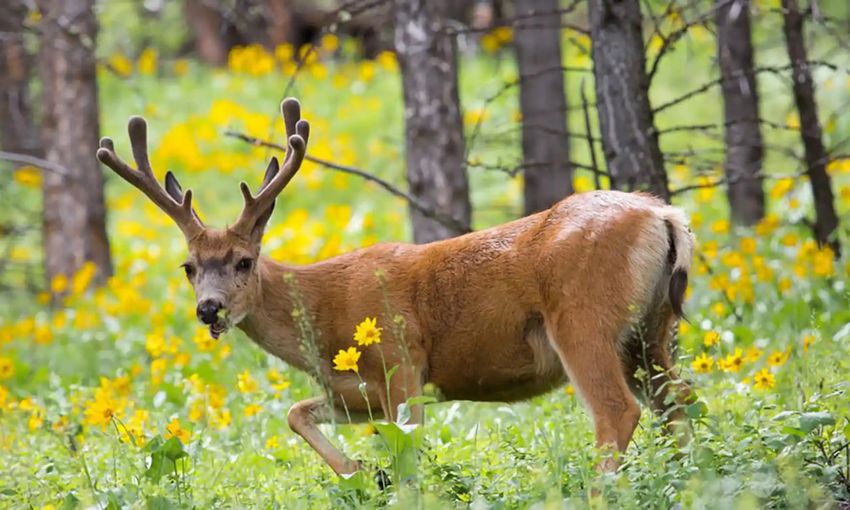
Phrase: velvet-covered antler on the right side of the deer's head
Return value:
(297, 130)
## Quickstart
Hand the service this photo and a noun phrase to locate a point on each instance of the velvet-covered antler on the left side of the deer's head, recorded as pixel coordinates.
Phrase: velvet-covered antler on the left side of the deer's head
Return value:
(143, 178)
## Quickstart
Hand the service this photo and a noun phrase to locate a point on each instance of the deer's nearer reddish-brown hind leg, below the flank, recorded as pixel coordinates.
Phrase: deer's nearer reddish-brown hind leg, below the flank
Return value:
(593, 365)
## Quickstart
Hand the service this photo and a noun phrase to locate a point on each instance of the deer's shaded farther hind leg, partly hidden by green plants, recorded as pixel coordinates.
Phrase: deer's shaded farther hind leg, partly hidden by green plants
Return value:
(648, 351)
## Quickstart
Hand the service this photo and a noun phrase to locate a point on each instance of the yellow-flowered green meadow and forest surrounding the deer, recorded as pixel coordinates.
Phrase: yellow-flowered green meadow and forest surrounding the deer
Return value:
(429, 119)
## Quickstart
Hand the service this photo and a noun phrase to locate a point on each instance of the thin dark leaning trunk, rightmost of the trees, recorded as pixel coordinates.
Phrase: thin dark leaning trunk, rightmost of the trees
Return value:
(826, 221)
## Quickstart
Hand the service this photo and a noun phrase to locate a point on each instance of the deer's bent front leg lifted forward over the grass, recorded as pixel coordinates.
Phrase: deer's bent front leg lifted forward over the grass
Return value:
(304, 418)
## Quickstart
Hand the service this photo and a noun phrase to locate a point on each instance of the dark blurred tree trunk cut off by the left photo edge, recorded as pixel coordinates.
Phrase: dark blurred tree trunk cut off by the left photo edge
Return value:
(17, 130)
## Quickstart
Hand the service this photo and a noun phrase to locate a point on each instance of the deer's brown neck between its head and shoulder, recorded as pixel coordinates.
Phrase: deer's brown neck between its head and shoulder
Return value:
(276, 321)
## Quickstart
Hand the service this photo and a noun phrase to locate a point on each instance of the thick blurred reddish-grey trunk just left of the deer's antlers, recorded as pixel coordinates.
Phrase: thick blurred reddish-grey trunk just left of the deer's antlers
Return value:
(74, 218)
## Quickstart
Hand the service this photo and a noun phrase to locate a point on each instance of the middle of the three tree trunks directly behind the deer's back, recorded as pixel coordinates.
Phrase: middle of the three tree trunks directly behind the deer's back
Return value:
(545, 144)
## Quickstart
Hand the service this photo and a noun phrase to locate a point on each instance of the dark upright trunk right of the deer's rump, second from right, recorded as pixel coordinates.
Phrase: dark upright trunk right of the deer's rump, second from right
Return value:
(744, 147)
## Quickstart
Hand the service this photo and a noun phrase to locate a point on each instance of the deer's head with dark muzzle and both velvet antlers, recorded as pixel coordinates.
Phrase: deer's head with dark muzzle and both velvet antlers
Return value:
(222, 264)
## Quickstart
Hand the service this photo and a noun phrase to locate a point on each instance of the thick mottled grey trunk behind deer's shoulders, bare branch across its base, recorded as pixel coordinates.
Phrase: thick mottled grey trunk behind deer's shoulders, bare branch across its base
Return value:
(436, 170)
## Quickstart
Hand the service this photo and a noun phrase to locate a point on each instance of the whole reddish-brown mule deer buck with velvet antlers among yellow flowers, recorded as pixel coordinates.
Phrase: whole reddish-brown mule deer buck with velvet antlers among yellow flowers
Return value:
(589, 290)
